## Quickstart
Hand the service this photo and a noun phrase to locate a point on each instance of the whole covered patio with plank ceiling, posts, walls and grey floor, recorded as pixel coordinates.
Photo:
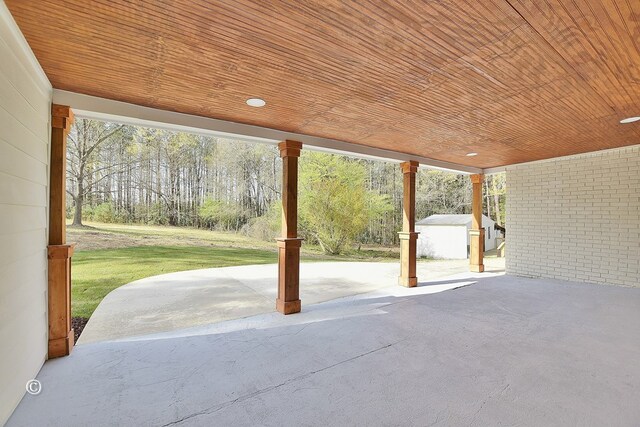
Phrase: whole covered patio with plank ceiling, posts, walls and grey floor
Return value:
(547, 91)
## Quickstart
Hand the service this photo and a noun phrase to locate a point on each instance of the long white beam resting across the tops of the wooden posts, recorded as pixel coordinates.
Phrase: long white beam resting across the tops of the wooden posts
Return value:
(108, 110)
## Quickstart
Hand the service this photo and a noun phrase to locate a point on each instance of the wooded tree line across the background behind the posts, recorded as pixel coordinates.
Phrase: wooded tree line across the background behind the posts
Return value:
(130, 174)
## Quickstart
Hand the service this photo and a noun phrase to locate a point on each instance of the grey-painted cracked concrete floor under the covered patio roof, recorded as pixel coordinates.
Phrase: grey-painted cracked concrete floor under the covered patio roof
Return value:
(500, 350)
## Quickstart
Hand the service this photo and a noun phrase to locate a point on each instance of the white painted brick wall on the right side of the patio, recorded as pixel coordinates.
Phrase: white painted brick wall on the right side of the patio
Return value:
(576, 218)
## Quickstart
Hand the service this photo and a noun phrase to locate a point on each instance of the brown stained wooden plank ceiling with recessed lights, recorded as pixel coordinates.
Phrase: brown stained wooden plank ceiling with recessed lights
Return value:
(514, 81)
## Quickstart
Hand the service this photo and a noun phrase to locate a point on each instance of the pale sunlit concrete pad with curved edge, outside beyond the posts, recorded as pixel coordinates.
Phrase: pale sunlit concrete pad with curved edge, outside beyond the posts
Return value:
(180, 300)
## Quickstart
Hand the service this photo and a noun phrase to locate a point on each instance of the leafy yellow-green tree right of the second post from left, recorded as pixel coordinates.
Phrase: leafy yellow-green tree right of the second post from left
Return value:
(335, 205)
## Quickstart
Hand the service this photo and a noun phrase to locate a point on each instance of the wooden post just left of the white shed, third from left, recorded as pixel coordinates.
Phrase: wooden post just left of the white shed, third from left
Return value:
(408, 235)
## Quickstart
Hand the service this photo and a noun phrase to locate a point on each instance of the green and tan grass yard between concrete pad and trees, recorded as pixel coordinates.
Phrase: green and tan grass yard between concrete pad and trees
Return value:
(111, 255)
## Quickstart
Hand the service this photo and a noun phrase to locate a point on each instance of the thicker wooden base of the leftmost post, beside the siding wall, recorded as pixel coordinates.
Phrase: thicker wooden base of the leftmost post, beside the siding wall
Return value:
(61, 337)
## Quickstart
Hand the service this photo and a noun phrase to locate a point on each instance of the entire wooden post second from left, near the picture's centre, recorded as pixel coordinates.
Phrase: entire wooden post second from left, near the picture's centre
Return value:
(288, 301)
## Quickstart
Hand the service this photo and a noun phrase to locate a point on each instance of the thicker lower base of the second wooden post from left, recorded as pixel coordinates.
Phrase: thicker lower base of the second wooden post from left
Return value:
(288, 301)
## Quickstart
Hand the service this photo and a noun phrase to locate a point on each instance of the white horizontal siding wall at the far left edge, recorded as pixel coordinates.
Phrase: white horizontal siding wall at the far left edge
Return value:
(25, 99)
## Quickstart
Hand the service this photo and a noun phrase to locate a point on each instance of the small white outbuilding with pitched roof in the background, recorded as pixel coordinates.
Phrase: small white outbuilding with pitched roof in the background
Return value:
(447, 236)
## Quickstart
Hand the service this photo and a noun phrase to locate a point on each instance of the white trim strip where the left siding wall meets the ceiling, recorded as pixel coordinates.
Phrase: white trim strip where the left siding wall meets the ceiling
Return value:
(11, 34)
